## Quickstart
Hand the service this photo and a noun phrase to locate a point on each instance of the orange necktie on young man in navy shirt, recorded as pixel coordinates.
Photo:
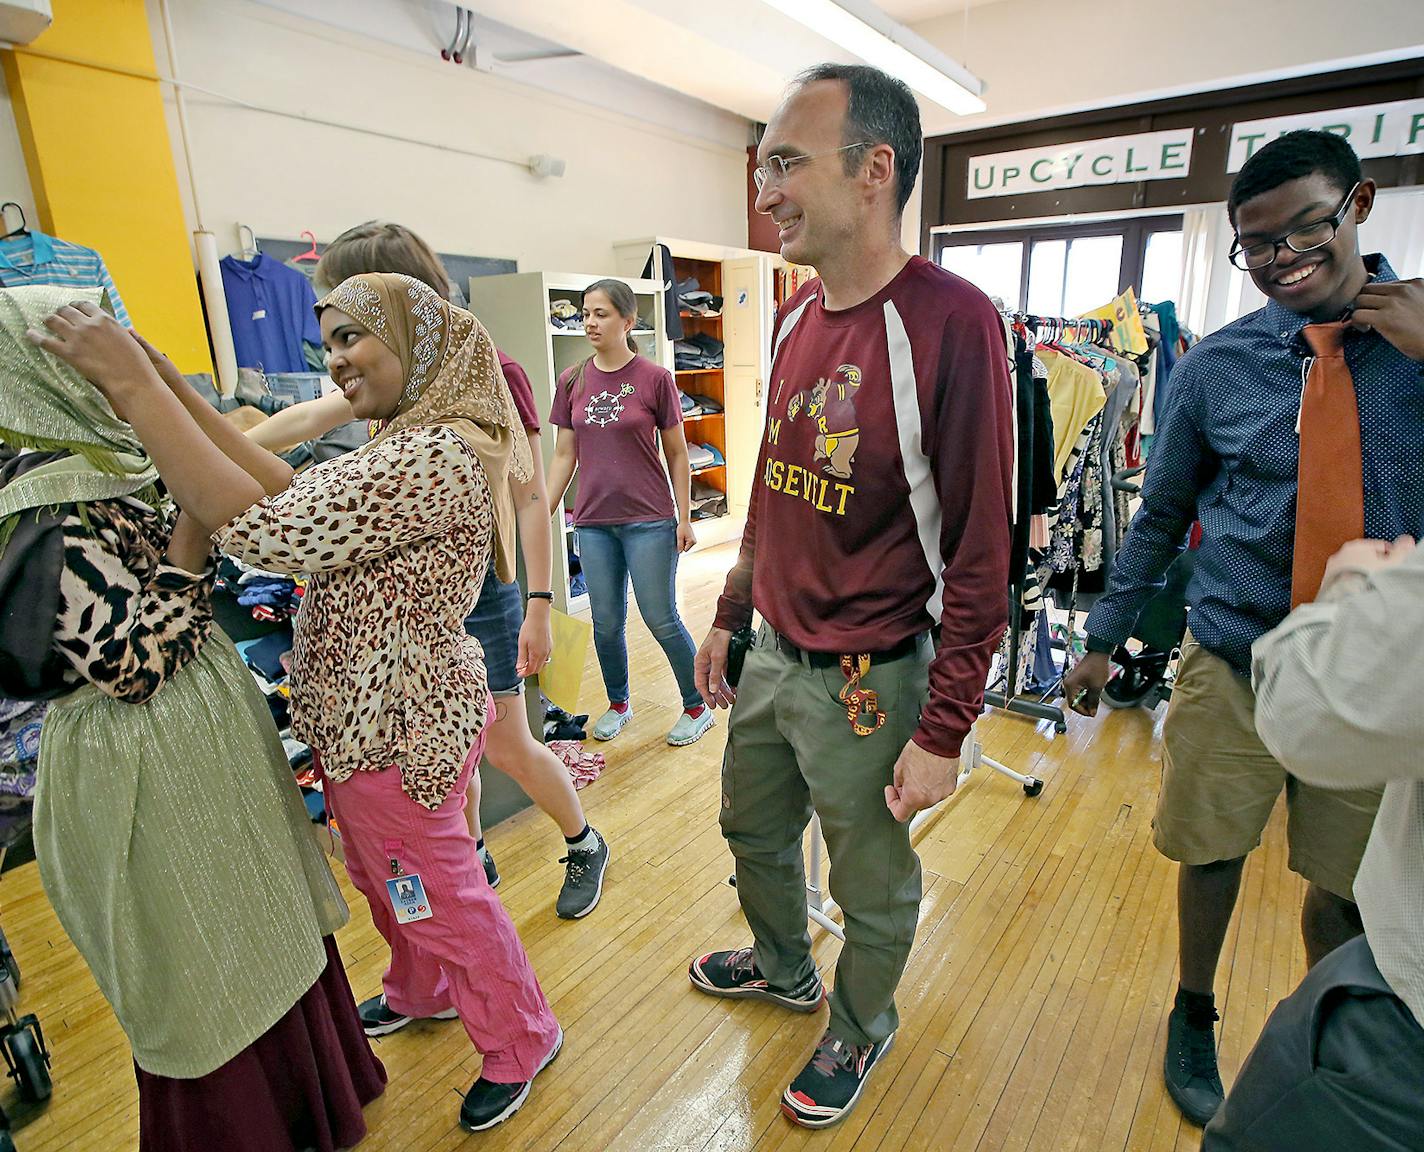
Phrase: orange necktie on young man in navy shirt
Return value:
(1331, 479)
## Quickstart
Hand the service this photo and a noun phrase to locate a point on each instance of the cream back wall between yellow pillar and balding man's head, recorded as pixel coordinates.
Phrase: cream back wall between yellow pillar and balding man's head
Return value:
(626, 177)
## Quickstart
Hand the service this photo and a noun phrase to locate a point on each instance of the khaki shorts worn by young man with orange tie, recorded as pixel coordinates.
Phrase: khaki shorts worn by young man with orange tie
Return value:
(1220, 785)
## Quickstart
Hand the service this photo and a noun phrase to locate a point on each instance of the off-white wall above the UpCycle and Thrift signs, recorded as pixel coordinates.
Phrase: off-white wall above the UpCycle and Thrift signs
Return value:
(1046, 56)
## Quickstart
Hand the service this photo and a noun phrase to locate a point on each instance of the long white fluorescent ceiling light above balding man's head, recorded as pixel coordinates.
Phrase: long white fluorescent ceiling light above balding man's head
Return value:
(864, 31)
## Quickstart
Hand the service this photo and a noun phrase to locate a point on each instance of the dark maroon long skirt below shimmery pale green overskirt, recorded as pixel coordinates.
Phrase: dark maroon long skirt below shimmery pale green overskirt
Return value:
(300, 1086)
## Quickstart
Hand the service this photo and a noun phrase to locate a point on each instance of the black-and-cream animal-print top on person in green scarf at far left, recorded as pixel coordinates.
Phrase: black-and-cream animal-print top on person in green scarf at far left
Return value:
(127, 620)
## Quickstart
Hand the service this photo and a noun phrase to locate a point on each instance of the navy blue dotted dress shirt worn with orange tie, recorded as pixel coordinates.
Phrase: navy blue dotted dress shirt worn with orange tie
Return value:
(1227, 455)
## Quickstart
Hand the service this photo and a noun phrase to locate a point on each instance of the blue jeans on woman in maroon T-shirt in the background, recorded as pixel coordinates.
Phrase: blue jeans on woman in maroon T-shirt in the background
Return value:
(649, 553)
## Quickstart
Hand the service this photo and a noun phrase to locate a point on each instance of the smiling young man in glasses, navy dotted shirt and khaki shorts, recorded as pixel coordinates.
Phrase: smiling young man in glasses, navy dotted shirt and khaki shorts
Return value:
(1227, 454)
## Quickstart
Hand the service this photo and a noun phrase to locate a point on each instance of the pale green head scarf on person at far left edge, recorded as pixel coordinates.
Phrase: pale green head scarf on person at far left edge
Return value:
(46, 405)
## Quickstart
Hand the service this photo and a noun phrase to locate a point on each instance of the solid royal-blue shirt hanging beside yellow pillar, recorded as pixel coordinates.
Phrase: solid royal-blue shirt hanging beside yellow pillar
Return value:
(270, 307)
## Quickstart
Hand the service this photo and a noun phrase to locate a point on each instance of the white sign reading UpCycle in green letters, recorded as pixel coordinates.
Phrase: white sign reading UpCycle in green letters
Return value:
(1113, 160)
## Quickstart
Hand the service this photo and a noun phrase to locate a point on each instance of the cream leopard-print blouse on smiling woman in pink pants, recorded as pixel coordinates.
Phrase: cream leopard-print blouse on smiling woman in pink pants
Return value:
(395, 538)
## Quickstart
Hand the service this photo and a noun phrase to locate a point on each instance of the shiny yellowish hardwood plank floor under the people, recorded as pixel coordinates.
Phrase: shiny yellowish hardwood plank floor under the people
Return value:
(1035, 1006)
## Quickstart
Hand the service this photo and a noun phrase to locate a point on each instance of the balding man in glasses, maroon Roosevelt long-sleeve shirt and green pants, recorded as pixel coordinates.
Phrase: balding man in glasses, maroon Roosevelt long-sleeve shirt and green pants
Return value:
(879, 525)
